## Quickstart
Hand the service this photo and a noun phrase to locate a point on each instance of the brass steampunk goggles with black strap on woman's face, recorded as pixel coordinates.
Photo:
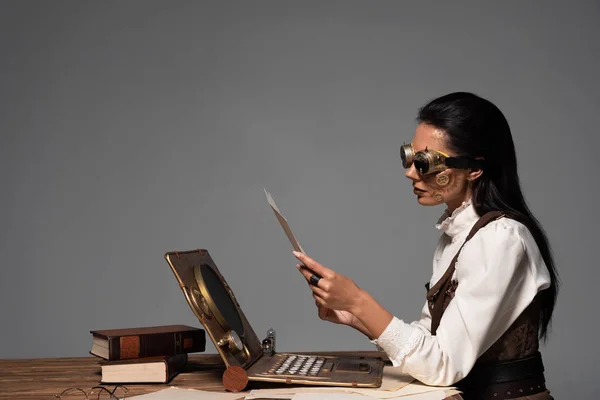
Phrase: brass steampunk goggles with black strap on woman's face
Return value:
(432, 161)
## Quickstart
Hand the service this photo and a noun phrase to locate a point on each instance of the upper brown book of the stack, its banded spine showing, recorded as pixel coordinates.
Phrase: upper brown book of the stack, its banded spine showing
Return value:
(130, 343)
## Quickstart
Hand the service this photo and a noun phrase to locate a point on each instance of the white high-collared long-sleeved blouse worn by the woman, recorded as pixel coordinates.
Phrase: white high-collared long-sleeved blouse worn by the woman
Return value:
(500, 270)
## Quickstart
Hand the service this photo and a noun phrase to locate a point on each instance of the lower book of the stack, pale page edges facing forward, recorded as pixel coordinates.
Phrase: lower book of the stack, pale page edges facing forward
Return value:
(143, 370)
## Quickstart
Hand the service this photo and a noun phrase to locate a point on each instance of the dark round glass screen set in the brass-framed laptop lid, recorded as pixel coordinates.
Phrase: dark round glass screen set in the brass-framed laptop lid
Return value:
(221, 299)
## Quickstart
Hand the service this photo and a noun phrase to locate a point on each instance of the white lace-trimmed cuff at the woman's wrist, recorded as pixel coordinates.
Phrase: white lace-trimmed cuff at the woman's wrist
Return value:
(398, 340)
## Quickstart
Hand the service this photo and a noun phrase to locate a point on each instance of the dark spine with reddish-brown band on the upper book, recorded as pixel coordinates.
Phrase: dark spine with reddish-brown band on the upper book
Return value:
(158, 344)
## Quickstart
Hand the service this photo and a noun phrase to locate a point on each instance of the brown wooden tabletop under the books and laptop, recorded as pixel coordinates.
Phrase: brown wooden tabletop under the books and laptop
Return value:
(42, 378)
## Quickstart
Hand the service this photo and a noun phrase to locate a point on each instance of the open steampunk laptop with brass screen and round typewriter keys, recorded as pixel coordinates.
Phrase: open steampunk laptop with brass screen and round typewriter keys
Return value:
(213, 302)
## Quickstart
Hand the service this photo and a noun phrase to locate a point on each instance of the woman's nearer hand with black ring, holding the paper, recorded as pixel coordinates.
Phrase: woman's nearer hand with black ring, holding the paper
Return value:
(333, 291)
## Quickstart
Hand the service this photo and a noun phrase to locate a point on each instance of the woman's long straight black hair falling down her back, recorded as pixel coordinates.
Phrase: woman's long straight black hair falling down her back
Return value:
(477, 128)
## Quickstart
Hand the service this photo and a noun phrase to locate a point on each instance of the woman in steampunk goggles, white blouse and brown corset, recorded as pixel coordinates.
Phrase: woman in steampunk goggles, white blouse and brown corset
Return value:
(494, 284)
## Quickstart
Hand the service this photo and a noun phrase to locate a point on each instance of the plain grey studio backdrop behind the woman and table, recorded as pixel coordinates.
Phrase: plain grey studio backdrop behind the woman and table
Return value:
(129, 129)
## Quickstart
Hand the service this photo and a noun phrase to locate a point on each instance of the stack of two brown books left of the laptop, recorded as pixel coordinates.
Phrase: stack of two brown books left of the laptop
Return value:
(153, 354)
